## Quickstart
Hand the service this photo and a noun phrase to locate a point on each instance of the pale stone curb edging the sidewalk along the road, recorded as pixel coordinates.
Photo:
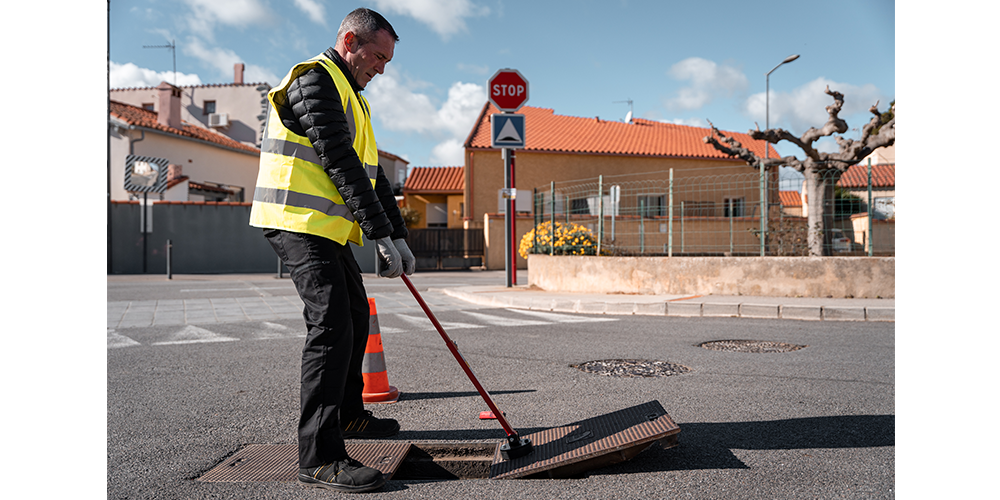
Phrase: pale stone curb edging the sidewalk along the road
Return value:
(680, 309)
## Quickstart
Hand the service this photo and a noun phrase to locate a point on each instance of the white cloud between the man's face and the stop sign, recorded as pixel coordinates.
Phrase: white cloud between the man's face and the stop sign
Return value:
(399, 107)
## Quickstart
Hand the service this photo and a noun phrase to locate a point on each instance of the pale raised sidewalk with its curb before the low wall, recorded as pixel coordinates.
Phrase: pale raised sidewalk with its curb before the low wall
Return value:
(816, 309)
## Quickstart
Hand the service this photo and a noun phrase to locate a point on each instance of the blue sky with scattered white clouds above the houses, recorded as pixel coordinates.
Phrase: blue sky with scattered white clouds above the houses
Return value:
(679, 62)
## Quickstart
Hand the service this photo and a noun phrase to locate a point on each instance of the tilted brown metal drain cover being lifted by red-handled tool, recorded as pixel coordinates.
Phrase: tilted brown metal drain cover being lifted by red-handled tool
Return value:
(567, 451)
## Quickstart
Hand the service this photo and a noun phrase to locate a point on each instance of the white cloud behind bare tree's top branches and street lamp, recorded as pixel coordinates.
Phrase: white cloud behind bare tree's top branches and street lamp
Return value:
(805, 106)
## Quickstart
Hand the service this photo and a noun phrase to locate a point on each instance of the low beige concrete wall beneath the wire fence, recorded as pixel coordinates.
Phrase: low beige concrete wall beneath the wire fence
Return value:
(853, 277)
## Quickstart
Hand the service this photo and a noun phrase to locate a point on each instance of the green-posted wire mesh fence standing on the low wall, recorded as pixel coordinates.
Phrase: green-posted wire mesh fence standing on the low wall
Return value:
(674, 213)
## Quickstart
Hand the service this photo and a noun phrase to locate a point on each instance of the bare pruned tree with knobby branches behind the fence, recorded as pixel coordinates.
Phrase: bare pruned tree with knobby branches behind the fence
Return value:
(821, 170)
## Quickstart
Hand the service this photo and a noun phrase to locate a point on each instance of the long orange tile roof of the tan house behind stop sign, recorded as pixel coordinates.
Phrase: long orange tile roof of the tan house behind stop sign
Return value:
(547, 131)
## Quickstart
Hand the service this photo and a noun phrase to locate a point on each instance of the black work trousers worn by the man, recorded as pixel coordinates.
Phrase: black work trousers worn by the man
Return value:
(336, 313)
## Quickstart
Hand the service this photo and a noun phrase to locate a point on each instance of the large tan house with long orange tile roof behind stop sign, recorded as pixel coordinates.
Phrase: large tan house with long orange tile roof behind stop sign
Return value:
(567, 148)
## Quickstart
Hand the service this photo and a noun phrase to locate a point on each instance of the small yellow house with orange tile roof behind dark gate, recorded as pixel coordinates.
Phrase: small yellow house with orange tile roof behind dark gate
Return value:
(437, 193)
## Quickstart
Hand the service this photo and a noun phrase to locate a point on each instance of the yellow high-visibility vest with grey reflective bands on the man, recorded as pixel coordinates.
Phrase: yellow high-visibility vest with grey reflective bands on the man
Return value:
(293, 191)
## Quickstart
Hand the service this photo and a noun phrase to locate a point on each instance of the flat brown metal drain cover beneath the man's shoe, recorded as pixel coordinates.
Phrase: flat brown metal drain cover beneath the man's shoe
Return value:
(280, 462)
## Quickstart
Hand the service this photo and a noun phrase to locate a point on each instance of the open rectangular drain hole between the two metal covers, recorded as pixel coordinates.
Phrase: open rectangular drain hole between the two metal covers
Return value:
(440, 461)
